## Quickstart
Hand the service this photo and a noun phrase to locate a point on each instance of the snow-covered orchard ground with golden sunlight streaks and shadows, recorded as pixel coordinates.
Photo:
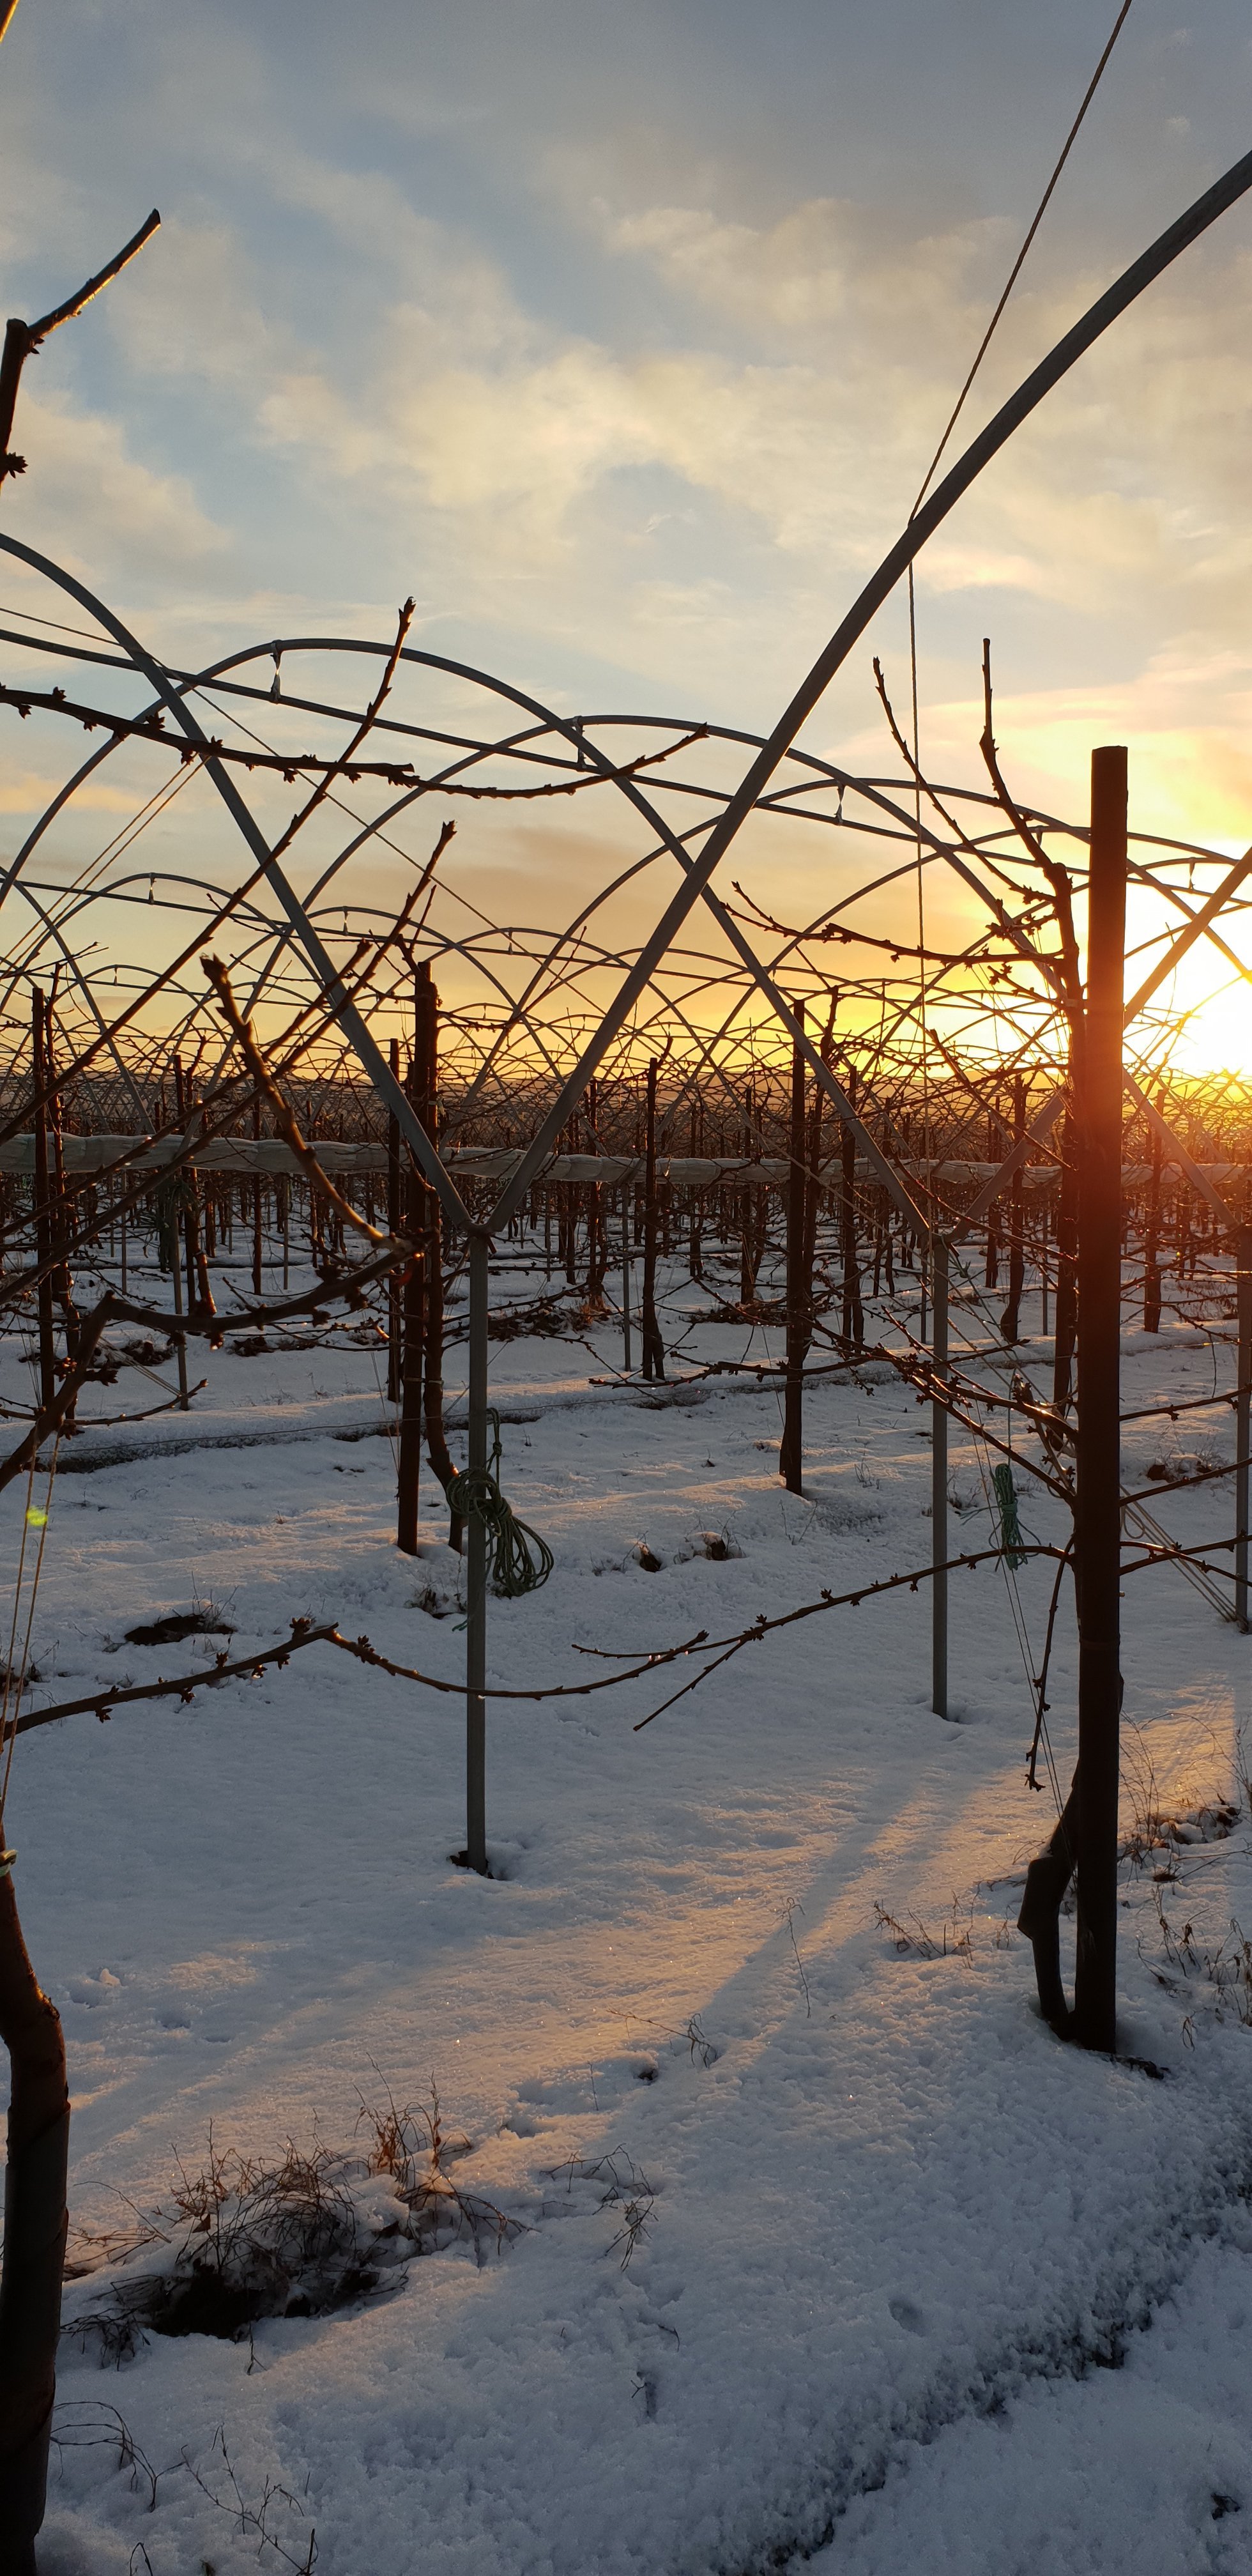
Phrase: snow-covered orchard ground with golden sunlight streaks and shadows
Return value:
(823, 2242)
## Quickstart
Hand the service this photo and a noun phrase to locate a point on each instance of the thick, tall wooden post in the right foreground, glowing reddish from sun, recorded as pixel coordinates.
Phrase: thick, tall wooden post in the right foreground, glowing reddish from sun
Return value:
(1099, 1408)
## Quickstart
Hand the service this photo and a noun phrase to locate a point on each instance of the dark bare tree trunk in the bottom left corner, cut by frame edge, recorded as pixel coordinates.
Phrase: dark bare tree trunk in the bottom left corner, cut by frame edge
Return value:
(35, 2240)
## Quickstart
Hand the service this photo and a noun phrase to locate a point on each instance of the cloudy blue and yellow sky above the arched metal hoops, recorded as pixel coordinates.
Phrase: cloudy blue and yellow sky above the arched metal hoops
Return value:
(622, 341)
